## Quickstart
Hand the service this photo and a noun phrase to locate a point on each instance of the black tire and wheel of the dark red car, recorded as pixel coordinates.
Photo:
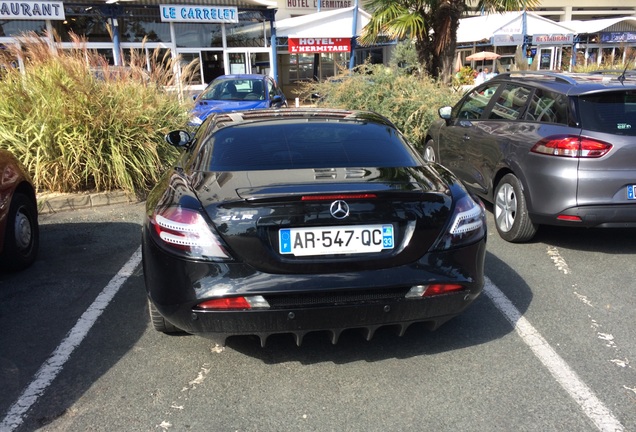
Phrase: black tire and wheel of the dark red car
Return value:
(22, 234)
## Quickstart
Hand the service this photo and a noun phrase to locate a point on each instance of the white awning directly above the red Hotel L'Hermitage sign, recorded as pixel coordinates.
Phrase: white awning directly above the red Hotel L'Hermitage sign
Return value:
(331, 24)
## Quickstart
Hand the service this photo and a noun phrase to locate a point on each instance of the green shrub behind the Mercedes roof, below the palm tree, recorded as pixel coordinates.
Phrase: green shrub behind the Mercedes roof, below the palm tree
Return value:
(409, 101)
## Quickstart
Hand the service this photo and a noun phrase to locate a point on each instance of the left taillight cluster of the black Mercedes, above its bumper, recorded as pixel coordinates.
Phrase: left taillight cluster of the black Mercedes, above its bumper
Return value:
(185, 232)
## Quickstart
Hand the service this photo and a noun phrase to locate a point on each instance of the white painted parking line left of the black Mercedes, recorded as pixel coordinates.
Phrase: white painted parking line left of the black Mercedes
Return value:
(52, 367)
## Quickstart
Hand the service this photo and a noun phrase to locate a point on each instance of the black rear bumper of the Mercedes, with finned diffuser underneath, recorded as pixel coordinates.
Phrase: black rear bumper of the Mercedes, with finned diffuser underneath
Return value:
(176, 286)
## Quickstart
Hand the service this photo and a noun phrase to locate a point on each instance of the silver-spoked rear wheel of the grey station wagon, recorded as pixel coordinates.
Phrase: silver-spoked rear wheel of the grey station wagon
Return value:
(511, 213)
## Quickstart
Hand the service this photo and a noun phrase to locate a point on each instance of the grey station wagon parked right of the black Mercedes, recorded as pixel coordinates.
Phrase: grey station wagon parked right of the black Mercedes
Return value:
(545, 148)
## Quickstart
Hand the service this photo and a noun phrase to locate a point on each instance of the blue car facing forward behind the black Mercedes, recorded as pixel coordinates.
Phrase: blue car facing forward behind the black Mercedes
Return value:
(236, 93)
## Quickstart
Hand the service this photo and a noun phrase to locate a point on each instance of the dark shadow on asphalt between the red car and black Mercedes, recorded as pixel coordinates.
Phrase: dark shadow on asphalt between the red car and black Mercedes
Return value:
(40, 305)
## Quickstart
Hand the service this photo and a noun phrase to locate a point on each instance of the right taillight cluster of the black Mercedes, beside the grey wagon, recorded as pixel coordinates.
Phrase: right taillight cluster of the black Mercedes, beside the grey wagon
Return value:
(468, 224)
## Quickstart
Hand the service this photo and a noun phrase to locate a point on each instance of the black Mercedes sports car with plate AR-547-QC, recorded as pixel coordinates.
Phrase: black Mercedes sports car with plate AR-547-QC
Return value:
(300, 220)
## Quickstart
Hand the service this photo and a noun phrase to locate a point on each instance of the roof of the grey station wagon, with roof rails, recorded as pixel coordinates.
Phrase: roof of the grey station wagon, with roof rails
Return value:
(575, 84)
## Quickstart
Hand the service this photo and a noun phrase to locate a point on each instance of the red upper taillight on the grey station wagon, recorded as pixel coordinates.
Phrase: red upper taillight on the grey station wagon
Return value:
(571, 146)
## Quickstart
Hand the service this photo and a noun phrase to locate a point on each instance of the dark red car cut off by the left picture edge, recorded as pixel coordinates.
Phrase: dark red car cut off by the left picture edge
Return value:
(19, 232)
